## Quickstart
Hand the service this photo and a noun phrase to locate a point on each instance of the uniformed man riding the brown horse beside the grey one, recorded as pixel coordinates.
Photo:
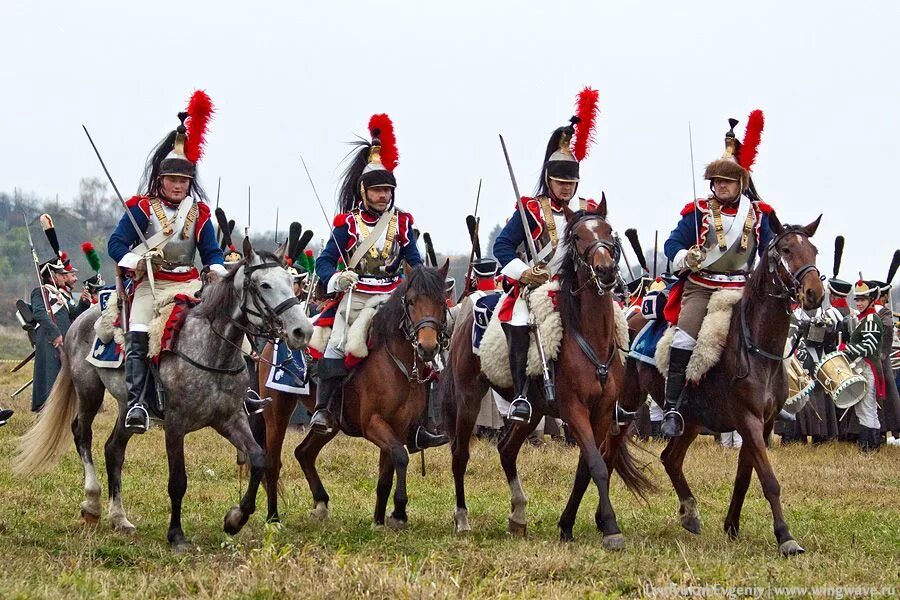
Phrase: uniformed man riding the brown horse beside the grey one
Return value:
(361, 264)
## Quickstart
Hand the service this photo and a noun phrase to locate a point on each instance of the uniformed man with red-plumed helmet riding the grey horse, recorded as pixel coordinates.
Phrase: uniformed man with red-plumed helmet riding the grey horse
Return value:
(173, 217)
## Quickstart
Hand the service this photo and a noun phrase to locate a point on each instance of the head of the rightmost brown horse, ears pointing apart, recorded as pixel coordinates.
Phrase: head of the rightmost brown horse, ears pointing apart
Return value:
(792, 257)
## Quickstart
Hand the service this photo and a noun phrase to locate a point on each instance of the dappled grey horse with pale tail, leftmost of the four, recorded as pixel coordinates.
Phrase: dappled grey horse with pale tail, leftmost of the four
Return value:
(205, 380)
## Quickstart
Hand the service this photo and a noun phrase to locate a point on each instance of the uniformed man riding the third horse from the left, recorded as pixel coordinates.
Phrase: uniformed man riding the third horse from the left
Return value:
(567, 147)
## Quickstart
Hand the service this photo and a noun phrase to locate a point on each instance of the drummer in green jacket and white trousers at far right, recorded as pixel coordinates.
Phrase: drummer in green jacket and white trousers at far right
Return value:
(865, 343)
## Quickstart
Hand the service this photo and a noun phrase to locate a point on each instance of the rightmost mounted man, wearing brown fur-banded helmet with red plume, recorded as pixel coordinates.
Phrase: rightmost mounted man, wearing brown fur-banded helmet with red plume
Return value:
(713, 247)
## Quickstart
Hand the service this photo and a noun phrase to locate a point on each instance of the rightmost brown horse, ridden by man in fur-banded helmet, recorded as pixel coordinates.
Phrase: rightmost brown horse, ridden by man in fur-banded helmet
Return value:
(746, 390)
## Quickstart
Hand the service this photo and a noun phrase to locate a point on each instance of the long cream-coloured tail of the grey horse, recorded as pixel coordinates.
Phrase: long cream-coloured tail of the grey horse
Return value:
(41, 447)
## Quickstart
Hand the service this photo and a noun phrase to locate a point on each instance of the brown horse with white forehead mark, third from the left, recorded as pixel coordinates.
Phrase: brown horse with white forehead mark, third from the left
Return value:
(589, 377)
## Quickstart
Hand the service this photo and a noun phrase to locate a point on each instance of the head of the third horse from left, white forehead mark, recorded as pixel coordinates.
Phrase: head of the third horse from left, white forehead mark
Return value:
(589, 239)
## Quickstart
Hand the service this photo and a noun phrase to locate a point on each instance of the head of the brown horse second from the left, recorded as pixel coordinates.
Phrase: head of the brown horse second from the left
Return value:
(424, 308)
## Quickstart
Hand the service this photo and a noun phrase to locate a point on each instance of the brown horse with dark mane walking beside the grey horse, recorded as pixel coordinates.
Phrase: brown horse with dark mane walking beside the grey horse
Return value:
(385, 394)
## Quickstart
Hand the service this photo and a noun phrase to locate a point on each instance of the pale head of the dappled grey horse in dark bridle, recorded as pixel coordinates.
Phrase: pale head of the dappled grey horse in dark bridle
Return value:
(267, 298)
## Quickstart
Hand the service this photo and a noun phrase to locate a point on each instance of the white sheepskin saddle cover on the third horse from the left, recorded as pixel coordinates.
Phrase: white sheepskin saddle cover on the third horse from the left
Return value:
(494, 350)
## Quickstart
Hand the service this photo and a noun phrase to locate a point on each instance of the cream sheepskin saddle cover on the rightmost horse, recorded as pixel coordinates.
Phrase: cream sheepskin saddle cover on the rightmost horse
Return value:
(711, 340)
